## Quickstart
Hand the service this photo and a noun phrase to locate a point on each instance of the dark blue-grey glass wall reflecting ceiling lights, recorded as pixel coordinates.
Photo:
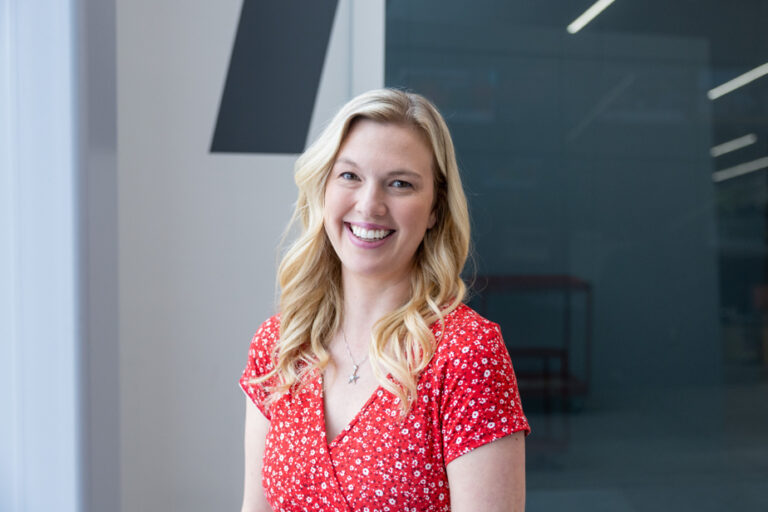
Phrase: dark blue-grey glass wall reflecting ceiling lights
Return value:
(618, 185)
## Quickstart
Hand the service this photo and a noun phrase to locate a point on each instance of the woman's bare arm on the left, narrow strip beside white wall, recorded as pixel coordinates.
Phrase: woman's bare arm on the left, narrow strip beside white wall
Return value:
(256, 427)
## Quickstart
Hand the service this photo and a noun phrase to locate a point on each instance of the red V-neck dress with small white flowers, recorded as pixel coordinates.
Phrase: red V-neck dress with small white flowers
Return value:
(466, 397)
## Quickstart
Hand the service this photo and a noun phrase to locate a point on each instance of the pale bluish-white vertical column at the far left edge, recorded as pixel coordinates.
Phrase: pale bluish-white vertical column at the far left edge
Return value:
(40, 349)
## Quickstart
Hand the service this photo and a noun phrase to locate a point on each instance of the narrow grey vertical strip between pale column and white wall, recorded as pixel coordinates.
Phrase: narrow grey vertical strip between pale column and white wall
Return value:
(98, 258)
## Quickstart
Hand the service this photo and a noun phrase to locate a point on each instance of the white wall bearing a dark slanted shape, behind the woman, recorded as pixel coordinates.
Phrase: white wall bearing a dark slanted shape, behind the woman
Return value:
(197, 238)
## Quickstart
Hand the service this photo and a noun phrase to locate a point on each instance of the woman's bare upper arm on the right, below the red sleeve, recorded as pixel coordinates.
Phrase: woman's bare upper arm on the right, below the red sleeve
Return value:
(490, 478)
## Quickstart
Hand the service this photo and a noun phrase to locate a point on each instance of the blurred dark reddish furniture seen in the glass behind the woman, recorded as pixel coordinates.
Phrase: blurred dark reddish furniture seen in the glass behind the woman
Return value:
(553, 376)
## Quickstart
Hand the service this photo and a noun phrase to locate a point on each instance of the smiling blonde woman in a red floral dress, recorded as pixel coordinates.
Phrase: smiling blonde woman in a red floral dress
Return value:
(375, 388)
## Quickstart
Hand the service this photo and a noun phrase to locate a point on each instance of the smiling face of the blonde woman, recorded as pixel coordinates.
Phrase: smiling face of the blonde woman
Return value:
(379, 199)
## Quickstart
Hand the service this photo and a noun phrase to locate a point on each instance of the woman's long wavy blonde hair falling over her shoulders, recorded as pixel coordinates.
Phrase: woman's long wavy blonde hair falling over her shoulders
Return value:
(309, 275)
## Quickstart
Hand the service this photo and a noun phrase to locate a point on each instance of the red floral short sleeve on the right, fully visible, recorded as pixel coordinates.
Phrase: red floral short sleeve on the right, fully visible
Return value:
(480, 401)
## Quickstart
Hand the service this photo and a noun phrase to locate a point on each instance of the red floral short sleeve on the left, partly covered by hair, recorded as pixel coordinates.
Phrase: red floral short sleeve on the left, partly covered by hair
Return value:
(260, 363)
